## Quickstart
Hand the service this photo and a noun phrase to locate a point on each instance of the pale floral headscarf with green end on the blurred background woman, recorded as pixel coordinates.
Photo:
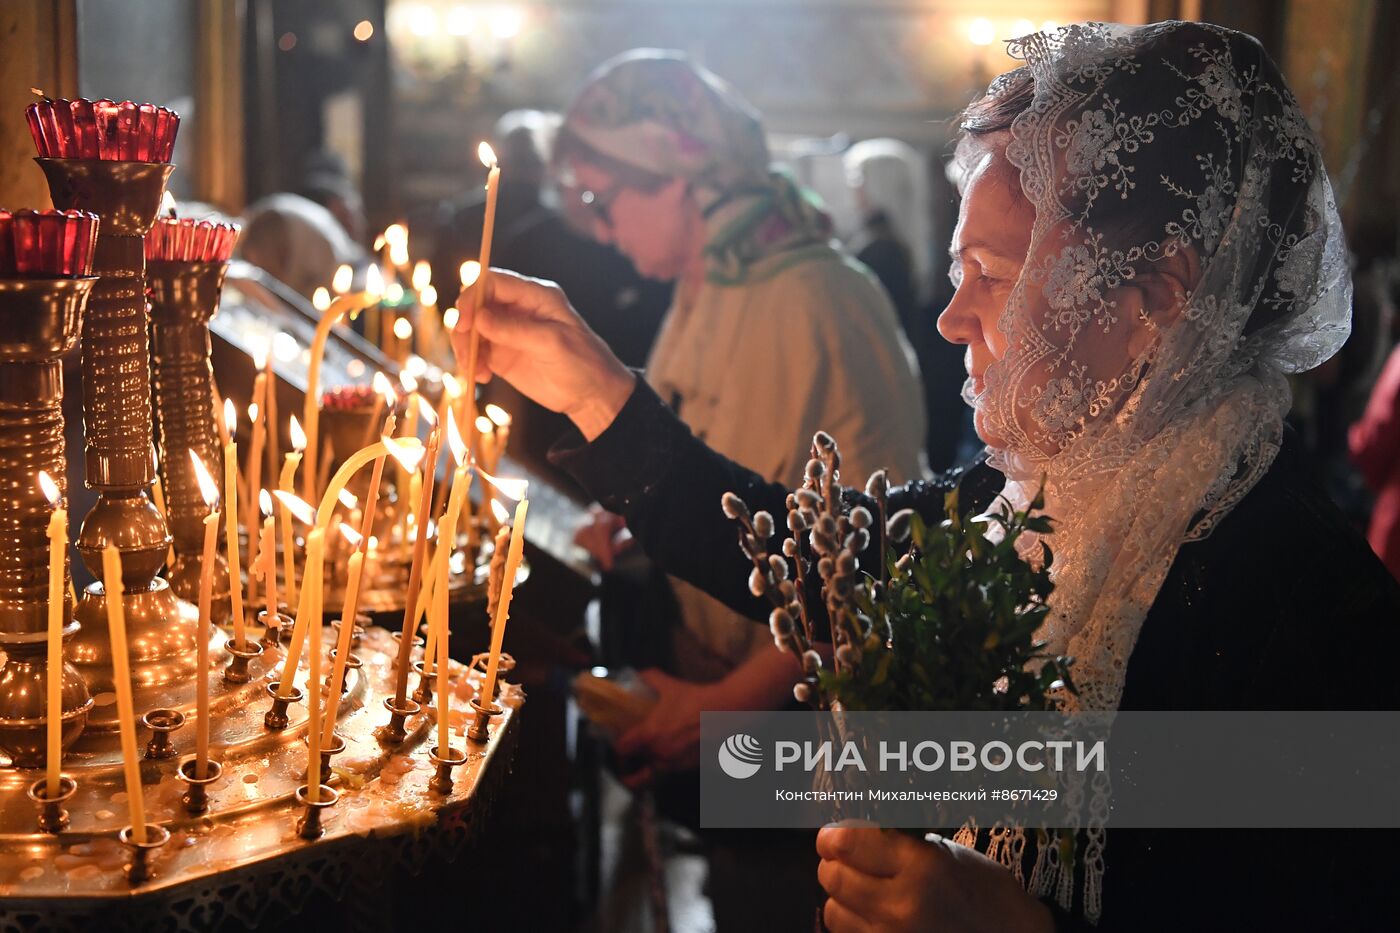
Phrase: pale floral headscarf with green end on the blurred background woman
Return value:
(661, 114)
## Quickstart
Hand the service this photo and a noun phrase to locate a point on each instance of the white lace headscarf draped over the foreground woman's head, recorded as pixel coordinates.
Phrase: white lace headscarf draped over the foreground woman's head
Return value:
(1177, 144)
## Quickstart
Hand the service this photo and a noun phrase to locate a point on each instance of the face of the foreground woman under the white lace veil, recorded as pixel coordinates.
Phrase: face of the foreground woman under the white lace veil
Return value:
(1065, 375)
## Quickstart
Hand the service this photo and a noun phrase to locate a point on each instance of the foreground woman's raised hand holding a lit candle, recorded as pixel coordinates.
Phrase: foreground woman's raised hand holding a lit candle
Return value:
(534, 340)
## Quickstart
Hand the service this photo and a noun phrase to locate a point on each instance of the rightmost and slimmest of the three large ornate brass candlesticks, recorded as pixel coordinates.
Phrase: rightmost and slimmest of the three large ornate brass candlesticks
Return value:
(184, 298)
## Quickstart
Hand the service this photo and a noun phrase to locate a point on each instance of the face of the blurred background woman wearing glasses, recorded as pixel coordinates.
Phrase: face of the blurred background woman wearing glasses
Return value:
(653, 229)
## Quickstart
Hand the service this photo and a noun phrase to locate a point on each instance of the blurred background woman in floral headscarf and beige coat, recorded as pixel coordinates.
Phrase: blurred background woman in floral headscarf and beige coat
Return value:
(664, 160)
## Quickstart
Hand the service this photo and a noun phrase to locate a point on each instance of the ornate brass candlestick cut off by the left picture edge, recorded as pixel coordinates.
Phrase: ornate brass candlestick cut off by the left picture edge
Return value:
(40, 322)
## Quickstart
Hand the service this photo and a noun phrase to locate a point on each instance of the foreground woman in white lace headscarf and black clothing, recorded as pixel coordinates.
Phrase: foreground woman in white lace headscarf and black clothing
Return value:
(1147, 247)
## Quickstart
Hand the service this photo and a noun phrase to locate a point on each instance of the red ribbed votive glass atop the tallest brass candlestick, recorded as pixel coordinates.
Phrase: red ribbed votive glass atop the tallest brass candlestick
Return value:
(103, 130)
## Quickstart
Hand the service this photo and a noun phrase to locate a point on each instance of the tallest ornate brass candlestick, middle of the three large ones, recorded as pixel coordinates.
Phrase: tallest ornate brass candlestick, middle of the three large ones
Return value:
(117, 424)
